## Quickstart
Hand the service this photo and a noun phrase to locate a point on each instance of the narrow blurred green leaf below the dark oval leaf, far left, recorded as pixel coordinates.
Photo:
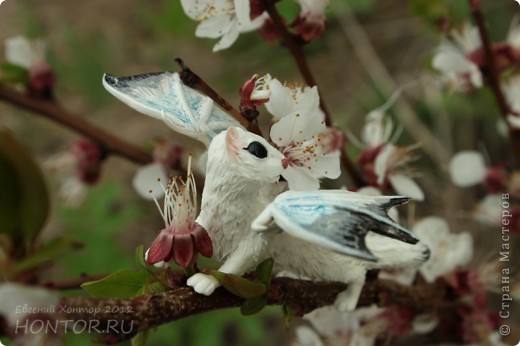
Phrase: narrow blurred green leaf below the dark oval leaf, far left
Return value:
(46, 252)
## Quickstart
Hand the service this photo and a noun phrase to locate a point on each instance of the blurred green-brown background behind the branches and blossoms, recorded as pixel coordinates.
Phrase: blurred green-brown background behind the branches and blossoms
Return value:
(125, 37)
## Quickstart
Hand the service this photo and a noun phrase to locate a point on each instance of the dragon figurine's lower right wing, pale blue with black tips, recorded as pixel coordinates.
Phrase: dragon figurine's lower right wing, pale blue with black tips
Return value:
(338, 219)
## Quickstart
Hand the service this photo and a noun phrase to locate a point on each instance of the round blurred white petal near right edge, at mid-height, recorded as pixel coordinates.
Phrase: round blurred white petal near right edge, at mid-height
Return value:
(467, 168)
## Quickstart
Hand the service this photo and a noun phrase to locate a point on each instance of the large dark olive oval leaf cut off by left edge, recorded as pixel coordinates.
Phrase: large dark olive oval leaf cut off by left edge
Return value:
(24, 200)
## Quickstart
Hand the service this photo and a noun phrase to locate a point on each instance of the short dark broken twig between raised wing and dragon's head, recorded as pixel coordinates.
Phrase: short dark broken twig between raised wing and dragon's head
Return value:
(192, 80)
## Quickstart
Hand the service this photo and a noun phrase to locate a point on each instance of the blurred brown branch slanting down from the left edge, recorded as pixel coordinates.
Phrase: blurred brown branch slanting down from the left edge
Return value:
(54, 112)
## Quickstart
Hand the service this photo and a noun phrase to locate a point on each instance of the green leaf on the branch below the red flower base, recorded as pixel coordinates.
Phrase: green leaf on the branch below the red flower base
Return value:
(122, 284)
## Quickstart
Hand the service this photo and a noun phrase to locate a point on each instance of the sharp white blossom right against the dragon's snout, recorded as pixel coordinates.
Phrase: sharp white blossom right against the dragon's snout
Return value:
(311, 149)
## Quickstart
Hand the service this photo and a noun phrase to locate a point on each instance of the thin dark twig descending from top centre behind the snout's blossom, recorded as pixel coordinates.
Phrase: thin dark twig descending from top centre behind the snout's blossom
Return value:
(299, 57)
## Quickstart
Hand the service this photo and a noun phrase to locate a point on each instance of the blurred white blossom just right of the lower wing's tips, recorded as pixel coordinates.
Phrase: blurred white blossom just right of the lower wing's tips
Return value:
(448, 250)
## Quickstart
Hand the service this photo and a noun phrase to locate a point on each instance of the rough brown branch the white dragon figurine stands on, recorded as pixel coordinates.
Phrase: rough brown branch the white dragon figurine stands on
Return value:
(131, 316)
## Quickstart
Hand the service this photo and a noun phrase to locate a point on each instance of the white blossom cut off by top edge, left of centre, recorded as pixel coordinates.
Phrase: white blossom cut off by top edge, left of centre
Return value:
(224, 19)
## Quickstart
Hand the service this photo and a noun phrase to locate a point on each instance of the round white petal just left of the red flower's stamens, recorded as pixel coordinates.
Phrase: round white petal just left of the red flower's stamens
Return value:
(148, 180)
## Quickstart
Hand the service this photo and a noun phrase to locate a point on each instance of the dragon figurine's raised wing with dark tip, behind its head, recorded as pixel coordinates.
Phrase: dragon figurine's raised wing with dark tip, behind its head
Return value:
(163, 96)
